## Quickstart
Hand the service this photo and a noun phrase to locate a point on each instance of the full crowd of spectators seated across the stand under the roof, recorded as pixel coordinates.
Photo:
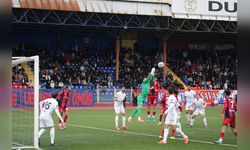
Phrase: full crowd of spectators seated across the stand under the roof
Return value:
(199, 69)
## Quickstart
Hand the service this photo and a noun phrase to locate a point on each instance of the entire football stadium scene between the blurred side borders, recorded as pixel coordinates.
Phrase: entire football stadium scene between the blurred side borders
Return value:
(124, 74)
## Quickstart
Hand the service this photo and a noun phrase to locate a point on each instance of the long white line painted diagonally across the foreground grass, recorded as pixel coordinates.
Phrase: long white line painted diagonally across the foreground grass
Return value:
(144, 134)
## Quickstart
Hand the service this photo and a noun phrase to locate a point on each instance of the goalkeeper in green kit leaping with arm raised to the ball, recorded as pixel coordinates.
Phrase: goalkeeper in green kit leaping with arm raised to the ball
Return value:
(143, 96)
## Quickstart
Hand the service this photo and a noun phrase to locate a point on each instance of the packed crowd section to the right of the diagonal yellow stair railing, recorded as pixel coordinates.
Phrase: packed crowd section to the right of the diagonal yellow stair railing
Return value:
(205, 69)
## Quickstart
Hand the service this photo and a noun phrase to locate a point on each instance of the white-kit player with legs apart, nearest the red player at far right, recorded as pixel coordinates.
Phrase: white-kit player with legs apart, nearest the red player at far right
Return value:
(200, 106)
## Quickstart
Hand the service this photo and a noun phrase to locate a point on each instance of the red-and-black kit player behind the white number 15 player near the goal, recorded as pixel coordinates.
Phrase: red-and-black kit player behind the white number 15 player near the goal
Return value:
(63, 100)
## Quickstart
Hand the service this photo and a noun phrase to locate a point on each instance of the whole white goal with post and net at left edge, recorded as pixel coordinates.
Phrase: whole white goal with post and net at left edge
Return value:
(25, 102)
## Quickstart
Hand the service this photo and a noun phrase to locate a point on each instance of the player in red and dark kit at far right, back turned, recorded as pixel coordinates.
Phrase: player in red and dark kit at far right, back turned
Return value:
(228, 112)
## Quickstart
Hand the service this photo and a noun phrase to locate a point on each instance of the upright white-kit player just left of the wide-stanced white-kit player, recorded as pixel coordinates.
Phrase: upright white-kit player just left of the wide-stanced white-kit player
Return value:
(189, 99)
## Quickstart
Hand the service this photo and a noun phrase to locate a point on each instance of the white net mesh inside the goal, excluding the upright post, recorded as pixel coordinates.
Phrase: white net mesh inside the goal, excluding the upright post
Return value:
(23, 105)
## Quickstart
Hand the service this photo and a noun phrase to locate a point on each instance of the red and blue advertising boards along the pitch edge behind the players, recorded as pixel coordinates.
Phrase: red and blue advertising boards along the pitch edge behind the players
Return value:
(23, 98)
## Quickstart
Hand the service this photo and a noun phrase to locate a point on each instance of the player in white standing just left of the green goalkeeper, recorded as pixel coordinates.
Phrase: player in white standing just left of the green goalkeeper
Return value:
(119, 101)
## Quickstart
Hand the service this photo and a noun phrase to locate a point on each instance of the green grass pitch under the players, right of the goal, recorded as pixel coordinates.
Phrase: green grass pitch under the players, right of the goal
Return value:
(94, 129)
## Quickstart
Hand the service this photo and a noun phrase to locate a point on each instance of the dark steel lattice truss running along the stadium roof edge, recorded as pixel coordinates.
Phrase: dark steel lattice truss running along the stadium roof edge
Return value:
(119, 21)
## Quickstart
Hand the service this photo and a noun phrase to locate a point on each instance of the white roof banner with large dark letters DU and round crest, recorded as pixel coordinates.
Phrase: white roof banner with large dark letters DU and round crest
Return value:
(205, 9)
